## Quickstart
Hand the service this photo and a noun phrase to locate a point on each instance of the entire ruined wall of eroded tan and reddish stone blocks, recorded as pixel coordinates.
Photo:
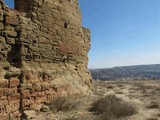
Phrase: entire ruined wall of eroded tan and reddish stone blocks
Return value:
(43, 54)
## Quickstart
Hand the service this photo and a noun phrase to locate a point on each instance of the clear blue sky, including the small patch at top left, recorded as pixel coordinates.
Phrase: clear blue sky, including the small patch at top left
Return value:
(123, 32)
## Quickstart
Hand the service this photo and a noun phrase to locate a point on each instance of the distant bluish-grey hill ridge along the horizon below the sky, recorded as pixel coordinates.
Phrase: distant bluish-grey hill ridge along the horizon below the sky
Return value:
(127, 72)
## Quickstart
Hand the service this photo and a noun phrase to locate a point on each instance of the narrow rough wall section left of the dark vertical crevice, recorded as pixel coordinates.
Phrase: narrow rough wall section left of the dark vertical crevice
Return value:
(9, 95)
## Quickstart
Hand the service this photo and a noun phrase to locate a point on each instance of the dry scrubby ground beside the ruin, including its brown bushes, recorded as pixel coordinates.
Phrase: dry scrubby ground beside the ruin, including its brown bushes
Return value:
(112, 100)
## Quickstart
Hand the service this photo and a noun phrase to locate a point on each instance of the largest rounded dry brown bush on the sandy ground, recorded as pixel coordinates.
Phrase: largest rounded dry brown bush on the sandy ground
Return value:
(111, 107)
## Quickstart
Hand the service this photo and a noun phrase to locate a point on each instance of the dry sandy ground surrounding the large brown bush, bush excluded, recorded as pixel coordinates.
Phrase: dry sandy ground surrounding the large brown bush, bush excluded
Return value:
(143, 95)
